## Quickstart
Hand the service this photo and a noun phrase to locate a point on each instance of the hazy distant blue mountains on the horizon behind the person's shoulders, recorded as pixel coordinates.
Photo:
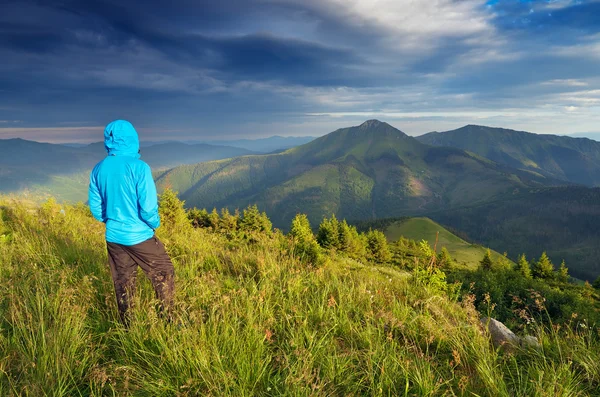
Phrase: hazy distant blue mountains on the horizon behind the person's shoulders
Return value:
(62, 171)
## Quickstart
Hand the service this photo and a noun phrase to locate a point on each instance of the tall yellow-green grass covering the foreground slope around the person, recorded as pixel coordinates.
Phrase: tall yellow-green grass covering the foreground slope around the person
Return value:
(250, 319)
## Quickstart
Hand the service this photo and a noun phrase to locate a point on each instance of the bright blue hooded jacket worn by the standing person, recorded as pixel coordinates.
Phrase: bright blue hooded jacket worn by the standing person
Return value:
(122, 193)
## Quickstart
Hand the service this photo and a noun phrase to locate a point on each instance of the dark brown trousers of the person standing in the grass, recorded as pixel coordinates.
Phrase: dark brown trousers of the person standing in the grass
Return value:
(152, 257)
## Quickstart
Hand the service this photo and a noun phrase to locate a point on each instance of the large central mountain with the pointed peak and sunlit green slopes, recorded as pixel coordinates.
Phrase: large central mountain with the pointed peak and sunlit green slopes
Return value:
(370, 171)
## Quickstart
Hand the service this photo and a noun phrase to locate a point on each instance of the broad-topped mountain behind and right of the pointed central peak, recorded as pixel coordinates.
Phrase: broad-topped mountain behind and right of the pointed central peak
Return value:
(576, 160)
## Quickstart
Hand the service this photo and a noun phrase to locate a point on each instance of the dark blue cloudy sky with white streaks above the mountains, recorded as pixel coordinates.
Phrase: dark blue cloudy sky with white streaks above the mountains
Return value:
(205, 69)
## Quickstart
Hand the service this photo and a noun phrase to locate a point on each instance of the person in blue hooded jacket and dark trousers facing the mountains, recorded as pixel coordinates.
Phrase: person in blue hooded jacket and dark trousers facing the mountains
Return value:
(122, 194)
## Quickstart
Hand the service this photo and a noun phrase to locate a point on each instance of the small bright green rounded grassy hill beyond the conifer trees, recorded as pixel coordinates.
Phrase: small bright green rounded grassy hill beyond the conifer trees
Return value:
(425, 229)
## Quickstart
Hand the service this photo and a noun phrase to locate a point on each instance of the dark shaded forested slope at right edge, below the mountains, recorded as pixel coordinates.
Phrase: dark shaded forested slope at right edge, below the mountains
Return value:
(564, 221)
